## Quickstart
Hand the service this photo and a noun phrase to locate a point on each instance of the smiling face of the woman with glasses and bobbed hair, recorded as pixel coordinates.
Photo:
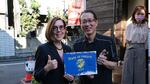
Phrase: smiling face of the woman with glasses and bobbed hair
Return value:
(59, 30)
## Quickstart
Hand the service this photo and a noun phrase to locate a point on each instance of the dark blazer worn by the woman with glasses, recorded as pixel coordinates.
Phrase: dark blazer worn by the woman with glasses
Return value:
(54, 76)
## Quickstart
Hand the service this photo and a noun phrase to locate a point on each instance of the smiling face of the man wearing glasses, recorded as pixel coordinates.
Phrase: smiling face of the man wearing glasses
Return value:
(88, 23)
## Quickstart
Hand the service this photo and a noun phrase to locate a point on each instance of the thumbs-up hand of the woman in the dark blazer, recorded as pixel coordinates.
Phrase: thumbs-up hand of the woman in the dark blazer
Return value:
(51, 64)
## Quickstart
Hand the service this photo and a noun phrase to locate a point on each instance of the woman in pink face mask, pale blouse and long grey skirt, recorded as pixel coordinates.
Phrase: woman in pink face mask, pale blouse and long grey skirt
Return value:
(136, 37)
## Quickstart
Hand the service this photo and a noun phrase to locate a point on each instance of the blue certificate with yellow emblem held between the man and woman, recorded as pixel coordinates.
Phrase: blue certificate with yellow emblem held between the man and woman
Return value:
(80, 63)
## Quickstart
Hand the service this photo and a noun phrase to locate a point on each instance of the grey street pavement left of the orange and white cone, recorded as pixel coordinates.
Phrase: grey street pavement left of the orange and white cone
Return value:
(12, 72)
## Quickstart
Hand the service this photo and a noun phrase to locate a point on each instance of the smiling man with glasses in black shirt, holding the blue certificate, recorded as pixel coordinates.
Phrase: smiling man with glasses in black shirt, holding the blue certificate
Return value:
(103, 45)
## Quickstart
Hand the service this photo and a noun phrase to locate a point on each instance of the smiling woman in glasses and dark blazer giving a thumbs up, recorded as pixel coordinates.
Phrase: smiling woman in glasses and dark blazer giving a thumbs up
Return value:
(49, 67)
